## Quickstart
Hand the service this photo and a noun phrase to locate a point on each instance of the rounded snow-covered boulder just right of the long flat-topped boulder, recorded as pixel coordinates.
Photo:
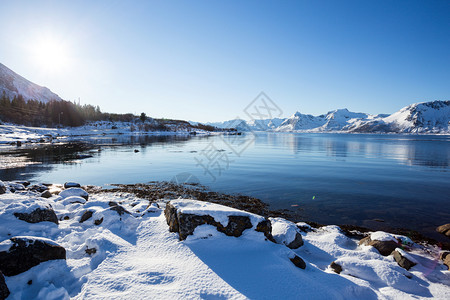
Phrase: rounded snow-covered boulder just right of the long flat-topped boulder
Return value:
(286, 232)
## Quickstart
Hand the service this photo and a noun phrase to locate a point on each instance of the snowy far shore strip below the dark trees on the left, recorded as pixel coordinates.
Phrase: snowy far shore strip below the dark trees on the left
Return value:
(10, 133)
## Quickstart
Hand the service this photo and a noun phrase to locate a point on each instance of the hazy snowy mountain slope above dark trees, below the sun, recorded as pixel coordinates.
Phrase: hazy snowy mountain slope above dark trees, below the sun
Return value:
(13, 84)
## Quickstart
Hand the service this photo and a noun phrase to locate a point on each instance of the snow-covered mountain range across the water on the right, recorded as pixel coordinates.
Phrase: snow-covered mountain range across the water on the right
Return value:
(427, 117)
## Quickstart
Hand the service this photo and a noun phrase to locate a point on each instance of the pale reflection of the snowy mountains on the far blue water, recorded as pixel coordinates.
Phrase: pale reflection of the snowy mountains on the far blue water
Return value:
(408, 150)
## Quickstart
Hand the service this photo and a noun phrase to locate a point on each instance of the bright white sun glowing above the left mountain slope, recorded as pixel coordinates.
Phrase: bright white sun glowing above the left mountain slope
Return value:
(51, 54)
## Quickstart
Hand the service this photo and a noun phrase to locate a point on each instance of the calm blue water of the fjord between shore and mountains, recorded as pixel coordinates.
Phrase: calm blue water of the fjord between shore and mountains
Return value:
(327, 178)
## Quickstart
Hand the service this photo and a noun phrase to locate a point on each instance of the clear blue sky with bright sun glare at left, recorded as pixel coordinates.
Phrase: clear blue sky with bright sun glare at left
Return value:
(207, 60)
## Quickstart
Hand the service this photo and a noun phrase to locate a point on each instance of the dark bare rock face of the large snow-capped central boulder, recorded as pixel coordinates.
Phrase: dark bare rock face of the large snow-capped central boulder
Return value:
(185, 224)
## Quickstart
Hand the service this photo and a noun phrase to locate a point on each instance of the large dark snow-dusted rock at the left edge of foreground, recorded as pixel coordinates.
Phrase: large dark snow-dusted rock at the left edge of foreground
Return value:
(27, 252)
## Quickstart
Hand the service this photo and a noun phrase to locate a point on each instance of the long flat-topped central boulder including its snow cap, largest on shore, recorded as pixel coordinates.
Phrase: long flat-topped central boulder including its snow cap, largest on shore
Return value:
(184, 221)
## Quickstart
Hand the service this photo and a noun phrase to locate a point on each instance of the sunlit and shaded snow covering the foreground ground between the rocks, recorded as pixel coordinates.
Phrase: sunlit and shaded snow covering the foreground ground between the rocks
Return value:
(136, 257)
